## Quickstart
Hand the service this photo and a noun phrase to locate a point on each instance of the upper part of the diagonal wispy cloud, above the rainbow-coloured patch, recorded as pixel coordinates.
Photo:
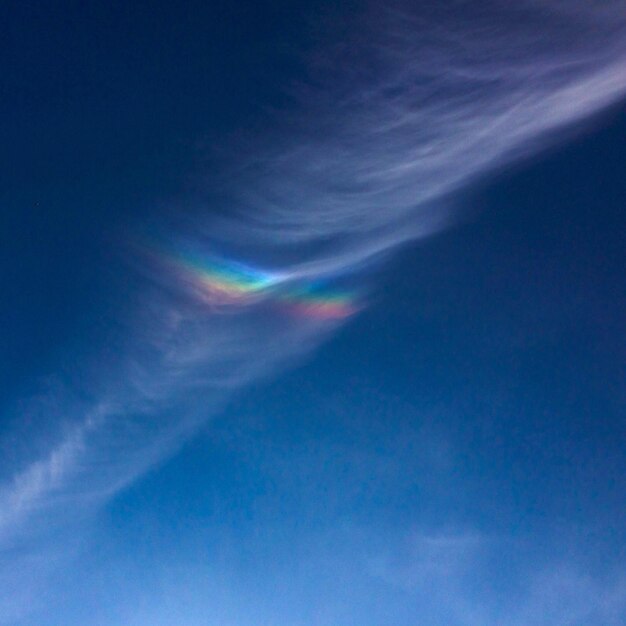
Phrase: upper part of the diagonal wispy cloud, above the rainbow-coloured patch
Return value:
(424, 102)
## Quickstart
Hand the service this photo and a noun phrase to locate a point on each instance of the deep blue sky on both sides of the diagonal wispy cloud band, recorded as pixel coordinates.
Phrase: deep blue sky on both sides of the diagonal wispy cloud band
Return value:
(483, 391)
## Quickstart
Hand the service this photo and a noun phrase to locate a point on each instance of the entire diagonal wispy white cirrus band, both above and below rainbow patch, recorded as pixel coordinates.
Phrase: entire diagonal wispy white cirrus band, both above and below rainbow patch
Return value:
(413, 105)
